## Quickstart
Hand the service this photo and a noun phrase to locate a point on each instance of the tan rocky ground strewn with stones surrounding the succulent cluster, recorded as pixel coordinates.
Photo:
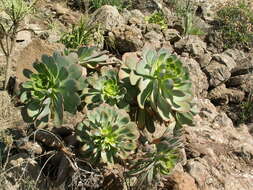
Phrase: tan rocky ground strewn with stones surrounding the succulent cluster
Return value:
(218, 150)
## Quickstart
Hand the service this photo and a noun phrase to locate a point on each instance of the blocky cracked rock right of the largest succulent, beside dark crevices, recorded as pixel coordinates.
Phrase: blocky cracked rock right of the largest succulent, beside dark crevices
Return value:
(217, 73)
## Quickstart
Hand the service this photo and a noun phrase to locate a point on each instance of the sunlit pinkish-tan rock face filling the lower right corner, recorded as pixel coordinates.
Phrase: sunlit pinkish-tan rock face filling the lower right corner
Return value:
(219, 156)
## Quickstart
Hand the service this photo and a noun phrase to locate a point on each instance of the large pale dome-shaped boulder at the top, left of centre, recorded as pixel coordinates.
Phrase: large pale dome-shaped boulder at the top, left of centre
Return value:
(108, 17)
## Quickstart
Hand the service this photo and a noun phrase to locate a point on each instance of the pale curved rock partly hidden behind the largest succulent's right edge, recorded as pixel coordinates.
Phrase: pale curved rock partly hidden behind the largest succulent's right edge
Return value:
(198, 78)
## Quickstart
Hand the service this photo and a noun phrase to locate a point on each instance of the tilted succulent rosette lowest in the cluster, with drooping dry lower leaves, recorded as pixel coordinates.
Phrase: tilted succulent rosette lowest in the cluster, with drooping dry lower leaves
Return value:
(157, 162)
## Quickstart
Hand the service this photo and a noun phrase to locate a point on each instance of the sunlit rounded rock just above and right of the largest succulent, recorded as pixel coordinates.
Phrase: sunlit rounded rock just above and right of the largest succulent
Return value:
(191, 44)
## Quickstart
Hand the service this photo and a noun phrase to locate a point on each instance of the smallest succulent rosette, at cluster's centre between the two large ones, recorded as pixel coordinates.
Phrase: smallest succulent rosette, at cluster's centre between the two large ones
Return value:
(106, 88)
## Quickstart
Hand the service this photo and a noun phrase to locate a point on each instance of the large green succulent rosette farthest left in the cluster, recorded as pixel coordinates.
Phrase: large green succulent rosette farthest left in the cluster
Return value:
(51, 89)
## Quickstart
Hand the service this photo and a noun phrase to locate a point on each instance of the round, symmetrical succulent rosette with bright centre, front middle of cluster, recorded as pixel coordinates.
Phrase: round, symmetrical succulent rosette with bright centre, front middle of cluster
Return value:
(107, 134)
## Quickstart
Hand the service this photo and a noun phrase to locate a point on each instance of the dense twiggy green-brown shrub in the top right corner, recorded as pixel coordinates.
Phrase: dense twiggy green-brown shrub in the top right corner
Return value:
(234, 22)
